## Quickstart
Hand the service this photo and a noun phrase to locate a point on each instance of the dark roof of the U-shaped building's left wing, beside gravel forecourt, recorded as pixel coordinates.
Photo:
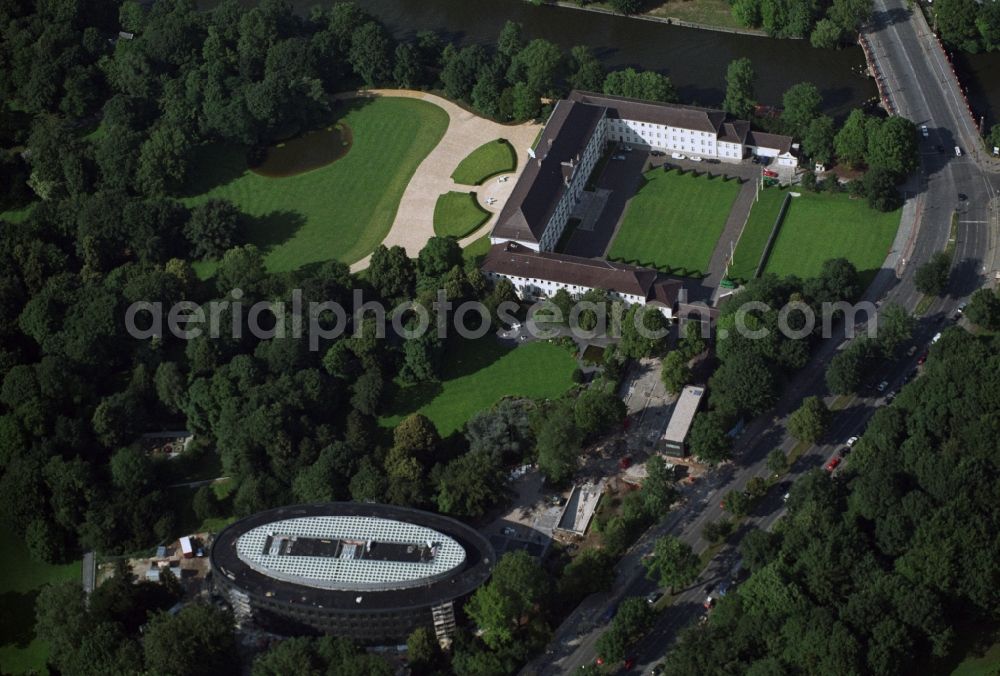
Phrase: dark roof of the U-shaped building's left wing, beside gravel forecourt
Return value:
(543, 181)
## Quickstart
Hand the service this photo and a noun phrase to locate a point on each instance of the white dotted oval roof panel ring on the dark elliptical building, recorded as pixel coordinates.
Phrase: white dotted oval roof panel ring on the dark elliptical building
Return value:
(346, 573)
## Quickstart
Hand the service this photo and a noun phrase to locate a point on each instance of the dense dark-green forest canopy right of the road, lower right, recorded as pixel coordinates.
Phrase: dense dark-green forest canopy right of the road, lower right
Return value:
(893, 539)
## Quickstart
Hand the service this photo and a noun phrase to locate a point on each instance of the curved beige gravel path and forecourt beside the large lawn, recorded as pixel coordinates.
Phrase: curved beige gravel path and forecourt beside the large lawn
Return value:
(414, 221)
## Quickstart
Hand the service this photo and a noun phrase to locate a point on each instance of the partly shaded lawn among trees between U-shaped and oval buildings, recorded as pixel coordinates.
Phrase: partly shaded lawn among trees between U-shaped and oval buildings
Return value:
(477, 374)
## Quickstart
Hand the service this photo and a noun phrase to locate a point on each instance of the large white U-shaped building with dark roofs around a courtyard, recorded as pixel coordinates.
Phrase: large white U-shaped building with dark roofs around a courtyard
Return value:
(550, 187)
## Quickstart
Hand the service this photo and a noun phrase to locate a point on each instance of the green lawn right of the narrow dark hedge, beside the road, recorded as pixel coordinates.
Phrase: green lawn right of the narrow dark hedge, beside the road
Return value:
(819, 226)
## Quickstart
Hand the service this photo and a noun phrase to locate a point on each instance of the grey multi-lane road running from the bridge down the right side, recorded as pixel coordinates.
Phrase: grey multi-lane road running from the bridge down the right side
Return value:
(923, 89)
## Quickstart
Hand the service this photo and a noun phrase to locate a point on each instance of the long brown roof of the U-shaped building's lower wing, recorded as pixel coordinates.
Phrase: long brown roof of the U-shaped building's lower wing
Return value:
(512, 259)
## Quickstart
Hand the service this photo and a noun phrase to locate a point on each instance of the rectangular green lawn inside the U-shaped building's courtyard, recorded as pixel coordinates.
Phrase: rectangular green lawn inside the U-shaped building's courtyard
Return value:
(674, 221)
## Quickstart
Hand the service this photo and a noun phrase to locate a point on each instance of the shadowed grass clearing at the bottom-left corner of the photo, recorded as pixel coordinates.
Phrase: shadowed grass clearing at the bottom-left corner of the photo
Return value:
(21, 578)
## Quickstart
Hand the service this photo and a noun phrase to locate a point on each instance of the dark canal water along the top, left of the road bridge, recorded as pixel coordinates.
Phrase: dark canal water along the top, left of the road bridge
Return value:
(694, 59)
